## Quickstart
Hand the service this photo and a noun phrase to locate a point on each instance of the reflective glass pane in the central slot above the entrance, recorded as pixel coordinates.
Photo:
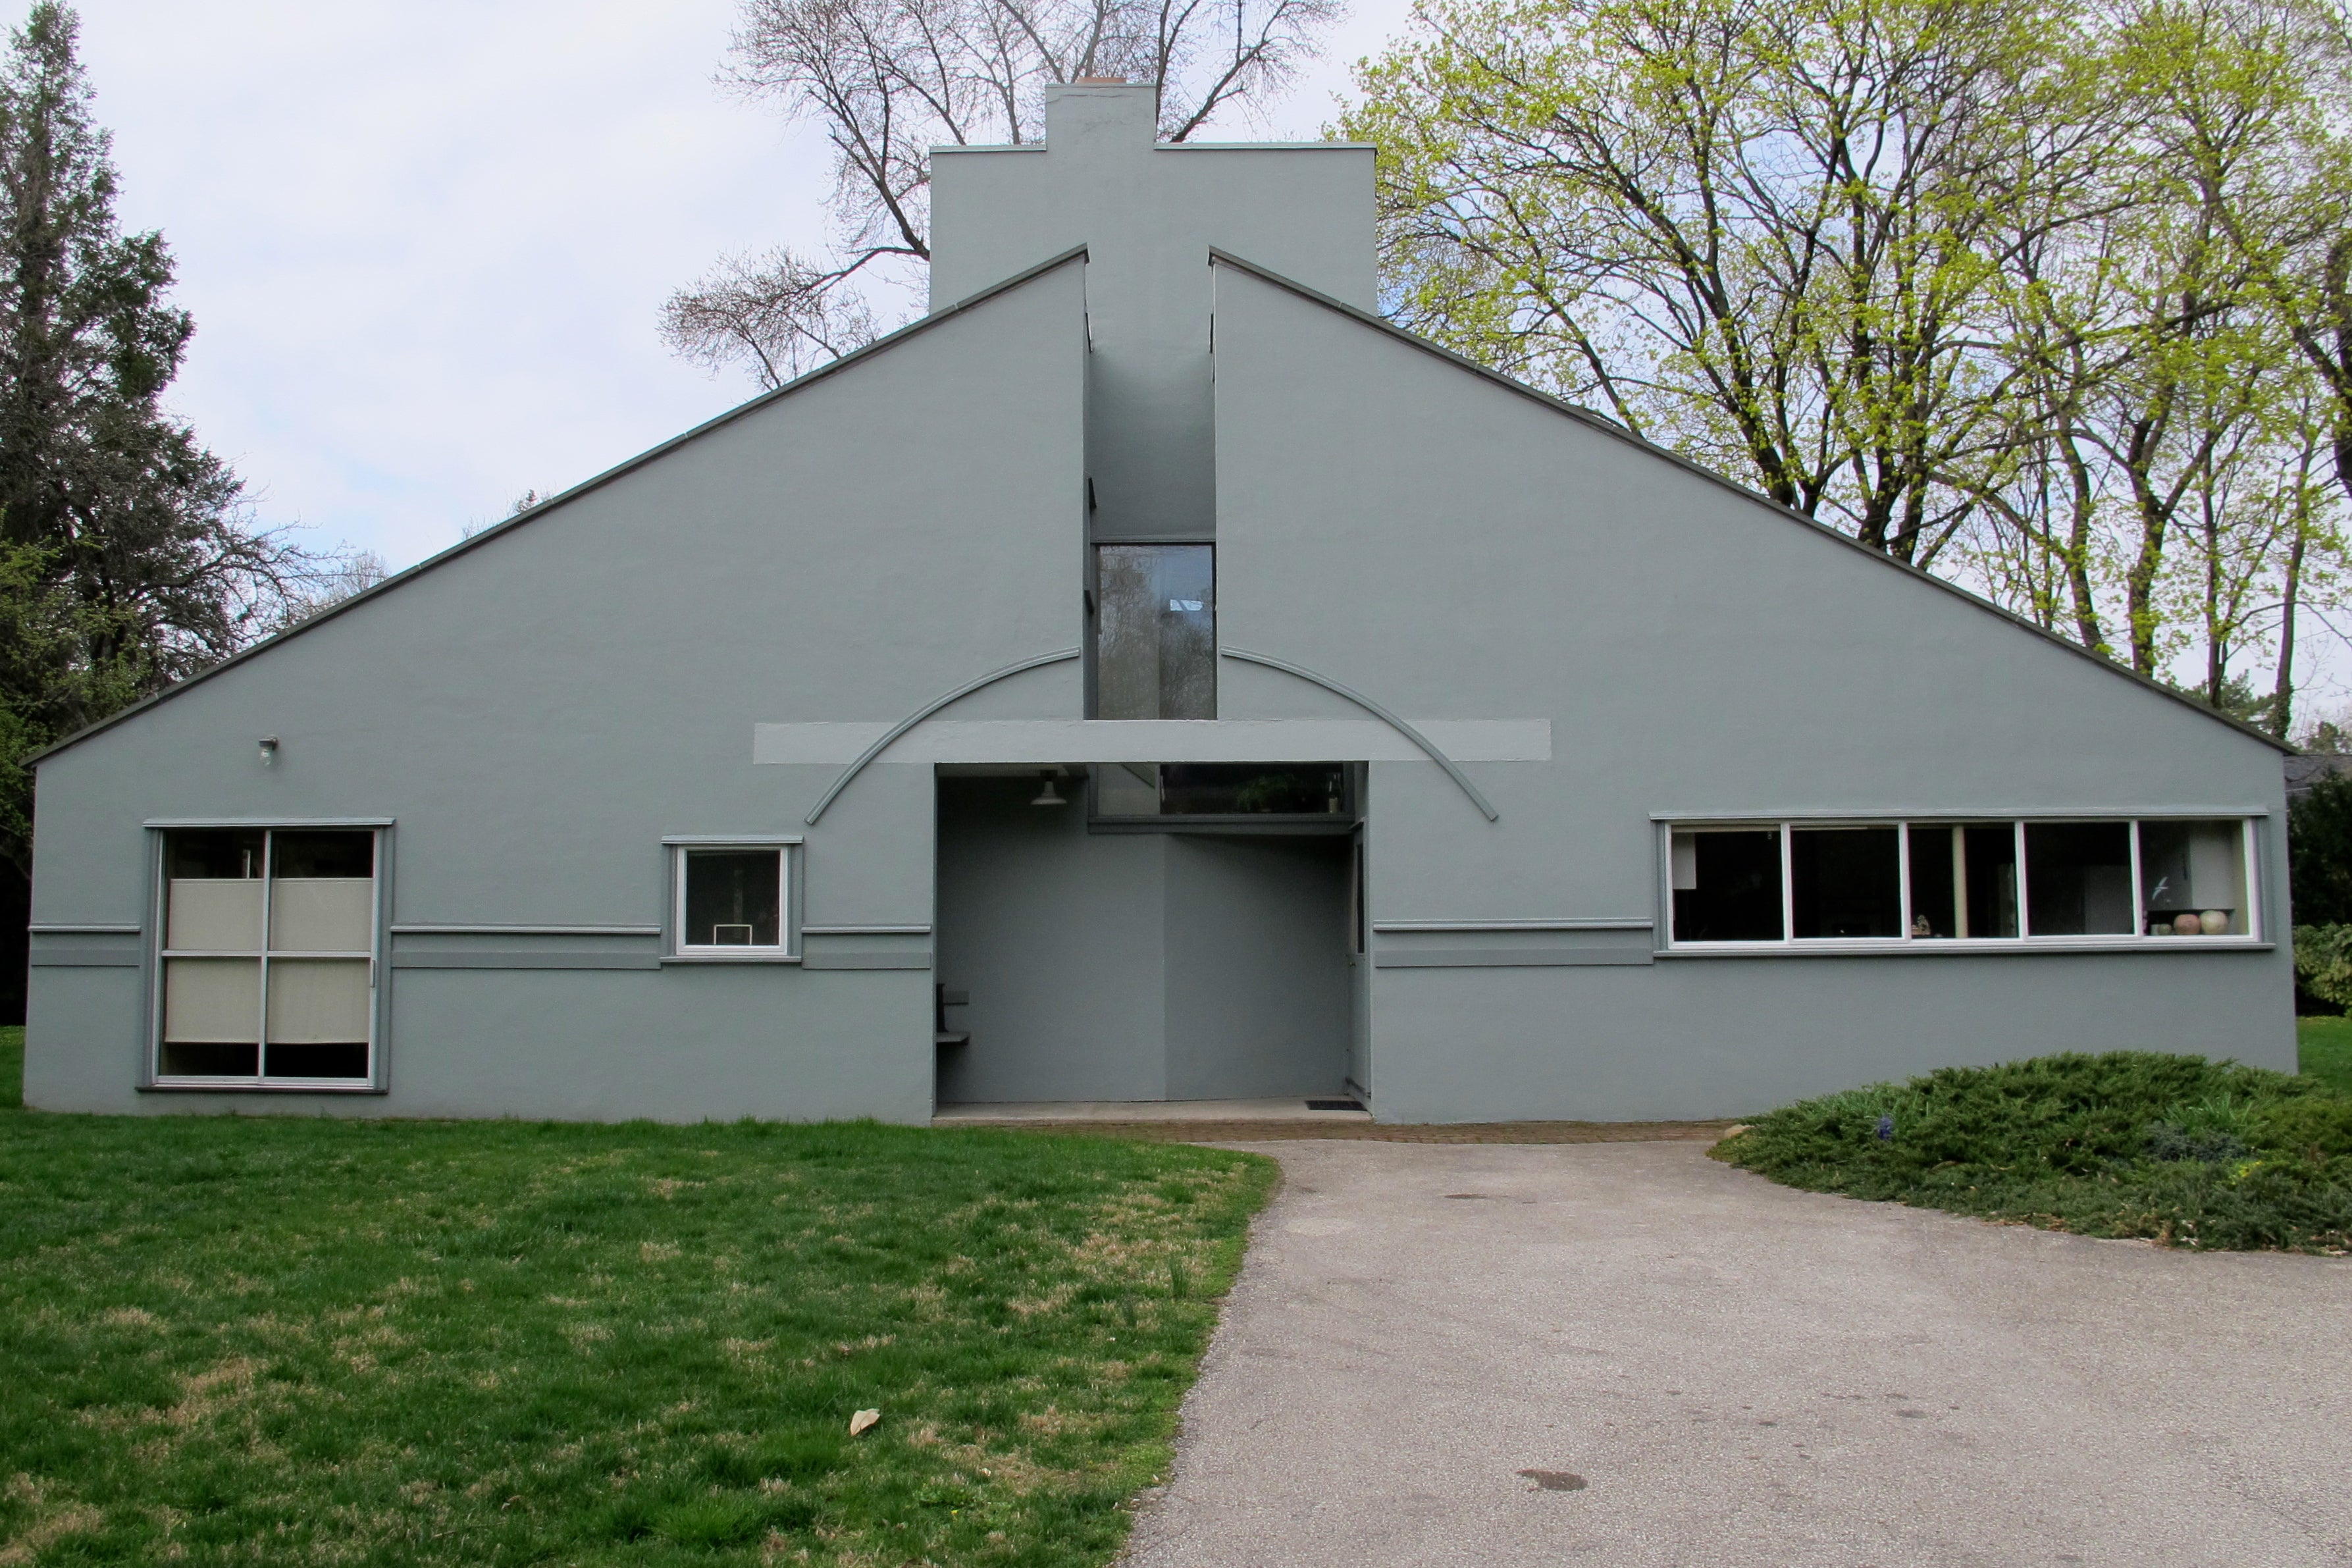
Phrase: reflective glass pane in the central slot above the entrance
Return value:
(1156, 634)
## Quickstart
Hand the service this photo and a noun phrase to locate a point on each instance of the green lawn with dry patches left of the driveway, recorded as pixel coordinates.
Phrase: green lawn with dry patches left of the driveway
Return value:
(305, 1341)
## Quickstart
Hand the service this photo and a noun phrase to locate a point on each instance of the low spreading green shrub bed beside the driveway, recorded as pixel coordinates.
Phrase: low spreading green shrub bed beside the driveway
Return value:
(2172, 1148)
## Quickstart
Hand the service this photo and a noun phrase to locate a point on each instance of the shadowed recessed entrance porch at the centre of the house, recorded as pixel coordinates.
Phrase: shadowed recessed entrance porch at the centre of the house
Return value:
(1095, 965)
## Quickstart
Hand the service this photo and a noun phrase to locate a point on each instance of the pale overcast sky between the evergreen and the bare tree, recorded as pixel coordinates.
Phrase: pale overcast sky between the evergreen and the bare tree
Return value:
(427, 241)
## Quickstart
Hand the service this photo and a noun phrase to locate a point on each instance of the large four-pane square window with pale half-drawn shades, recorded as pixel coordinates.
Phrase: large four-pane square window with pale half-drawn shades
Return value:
(269, 956)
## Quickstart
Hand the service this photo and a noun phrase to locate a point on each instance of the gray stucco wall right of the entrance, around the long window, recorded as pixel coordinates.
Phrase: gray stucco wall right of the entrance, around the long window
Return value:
(1457, 549)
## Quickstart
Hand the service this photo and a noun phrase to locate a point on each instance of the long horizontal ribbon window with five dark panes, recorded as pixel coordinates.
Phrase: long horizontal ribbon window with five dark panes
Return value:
(1899, 883)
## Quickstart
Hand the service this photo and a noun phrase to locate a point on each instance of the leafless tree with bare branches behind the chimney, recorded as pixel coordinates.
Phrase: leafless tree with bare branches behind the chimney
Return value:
(893, 79)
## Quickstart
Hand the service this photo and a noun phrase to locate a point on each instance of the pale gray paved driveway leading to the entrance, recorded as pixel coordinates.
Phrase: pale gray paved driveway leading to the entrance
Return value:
(1713, 1369)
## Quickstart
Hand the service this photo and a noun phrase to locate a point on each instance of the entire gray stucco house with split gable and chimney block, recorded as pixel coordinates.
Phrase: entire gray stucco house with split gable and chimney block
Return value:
(1144, 678)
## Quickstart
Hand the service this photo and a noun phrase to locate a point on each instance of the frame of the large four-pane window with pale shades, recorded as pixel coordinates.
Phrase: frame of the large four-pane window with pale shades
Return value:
(161, 956)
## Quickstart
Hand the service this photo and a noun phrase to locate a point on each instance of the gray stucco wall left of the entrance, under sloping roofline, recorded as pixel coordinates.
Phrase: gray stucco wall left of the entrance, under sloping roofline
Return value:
(542, 711)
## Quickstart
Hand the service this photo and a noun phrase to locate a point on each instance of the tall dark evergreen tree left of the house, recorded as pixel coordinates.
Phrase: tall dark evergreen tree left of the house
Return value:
(126, 561)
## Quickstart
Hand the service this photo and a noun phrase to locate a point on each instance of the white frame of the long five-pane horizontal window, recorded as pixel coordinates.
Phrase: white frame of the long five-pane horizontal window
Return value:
(2026, 942)
